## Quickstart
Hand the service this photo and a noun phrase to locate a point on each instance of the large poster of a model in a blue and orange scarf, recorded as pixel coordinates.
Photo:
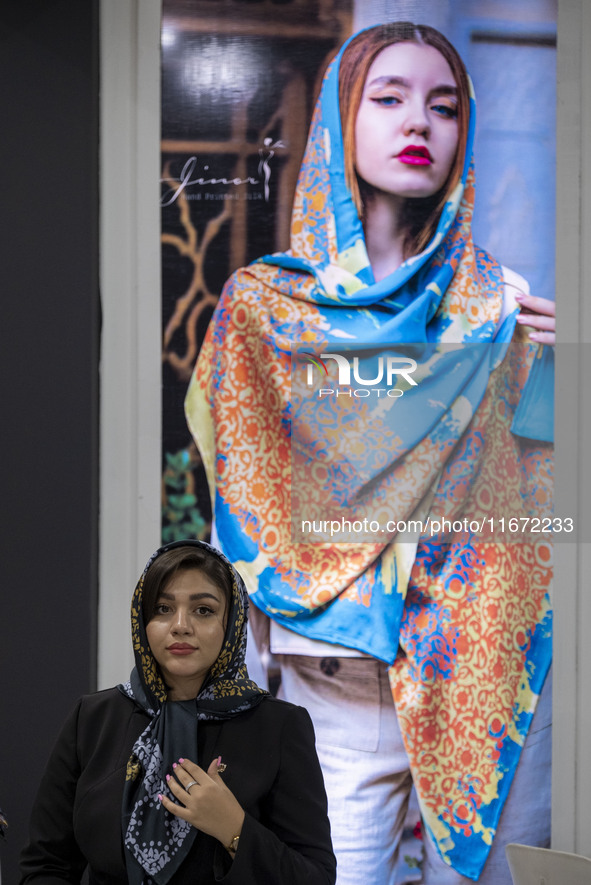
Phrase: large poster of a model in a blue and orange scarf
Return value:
(455, 613)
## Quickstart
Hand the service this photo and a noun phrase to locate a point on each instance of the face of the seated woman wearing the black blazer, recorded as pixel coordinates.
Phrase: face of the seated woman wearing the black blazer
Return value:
(187, 631)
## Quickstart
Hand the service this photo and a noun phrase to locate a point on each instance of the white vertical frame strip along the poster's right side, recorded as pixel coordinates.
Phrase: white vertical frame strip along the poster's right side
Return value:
(571, 763)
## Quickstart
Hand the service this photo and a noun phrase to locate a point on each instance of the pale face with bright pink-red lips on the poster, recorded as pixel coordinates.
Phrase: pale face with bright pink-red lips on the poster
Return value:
(406, 132)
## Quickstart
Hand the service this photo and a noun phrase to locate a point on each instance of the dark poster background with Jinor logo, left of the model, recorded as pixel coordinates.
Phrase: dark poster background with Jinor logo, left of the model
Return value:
(237, 98)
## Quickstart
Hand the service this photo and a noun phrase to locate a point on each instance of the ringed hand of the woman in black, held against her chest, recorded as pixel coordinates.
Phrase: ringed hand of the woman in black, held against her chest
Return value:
(208, 805)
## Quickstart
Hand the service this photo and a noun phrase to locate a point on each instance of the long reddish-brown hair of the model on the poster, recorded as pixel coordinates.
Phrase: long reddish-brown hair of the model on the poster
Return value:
(421, 215)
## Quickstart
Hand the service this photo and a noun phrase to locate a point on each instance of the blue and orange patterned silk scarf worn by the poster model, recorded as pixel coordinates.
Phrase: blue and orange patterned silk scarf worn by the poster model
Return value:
(463, 623)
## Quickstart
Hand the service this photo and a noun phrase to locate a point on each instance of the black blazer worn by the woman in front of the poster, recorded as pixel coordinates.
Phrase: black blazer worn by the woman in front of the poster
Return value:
(272, 769)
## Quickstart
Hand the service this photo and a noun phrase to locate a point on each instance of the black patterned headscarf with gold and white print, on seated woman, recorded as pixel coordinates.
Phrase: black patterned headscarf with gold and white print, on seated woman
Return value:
(156, 842)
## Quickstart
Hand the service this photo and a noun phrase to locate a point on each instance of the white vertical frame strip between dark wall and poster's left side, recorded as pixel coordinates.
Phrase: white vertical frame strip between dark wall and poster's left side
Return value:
(130, 414)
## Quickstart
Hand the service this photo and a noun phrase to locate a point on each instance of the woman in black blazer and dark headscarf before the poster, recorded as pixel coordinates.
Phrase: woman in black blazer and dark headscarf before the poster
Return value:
(189, 773)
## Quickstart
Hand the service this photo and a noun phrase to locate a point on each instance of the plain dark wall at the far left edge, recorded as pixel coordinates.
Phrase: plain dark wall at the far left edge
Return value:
(49, 335)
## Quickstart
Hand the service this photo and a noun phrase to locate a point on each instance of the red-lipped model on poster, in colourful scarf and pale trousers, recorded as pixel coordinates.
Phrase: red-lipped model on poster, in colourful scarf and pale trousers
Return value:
(419, 661)
